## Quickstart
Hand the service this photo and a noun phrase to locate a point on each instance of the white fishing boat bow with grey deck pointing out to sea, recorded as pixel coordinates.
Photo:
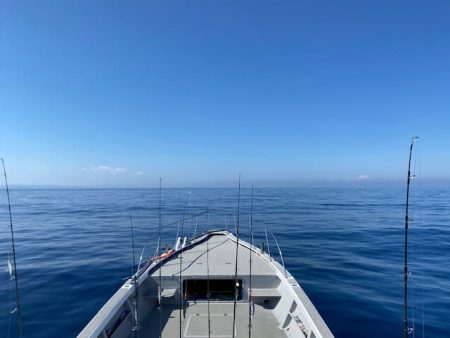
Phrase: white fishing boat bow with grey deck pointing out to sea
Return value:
(211, 285)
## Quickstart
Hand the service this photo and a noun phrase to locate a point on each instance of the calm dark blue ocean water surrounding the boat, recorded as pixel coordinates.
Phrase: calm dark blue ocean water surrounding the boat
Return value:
(344, 246)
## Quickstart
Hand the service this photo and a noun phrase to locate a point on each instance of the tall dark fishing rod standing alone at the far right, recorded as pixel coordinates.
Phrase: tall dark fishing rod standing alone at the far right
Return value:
(406, 329)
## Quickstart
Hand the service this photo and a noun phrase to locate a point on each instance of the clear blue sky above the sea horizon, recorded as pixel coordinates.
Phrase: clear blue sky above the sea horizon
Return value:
(121, 93)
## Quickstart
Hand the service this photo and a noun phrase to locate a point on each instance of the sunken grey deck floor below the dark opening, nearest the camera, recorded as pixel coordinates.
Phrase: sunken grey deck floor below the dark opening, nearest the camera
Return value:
(194, 323)
